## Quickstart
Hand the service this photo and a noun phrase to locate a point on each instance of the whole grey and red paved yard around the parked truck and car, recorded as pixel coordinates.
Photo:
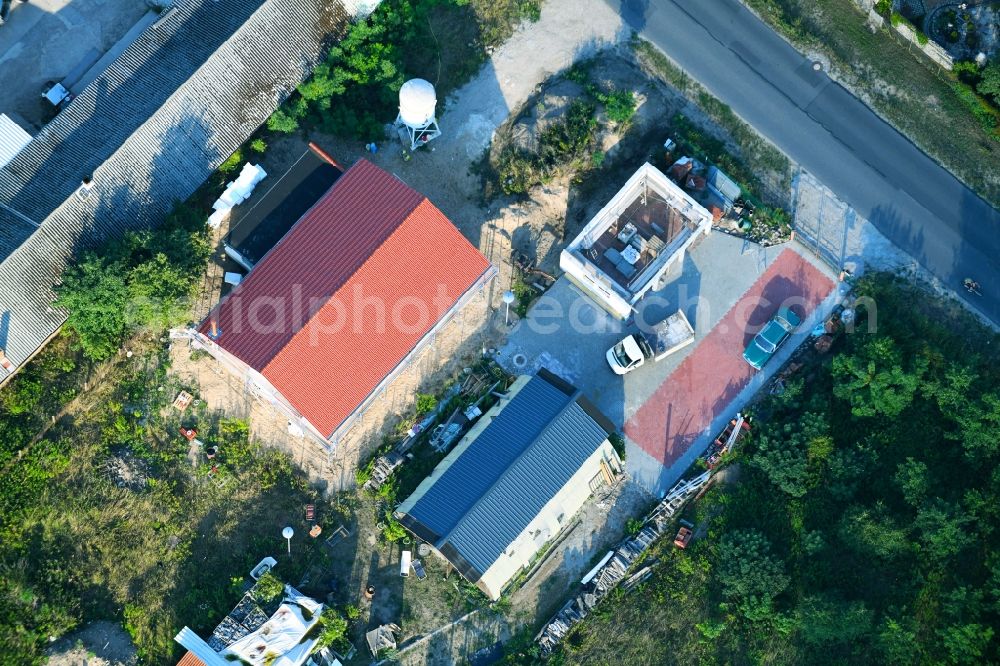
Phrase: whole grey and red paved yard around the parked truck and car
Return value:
(567, 333)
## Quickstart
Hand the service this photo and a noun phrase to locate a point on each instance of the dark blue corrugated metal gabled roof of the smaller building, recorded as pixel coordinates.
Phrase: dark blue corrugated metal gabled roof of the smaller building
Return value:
(505, 477)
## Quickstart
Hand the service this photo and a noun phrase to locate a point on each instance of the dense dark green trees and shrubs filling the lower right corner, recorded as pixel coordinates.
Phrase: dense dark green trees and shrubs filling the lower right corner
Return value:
(862, 527)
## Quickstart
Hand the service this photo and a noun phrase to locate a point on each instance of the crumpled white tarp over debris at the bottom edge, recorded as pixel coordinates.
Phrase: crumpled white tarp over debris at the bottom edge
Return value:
(279, 640)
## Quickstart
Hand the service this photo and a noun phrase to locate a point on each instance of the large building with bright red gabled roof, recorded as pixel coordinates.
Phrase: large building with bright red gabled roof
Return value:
(344, 299)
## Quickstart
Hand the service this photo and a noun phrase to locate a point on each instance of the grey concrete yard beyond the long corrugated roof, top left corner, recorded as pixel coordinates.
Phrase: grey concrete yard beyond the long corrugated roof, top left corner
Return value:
(43, 40)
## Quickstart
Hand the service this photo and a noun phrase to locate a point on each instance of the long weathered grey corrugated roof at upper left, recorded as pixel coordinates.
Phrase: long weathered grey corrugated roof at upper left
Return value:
(150, 129)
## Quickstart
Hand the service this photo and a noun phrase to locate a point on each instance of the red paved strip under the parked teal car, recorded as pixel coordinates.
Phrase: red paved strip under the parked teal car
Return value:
(709, 379)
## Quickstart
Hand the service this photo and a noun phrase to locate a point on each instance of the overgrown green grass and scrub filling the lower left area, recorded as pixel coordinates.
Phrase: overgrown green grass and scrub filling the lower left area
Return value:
(78, 545)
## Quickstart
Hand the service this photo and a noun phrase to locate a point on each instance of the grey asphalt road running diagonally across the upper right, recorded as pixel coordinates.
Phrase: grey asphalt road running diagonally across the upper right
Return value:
(912, 200)
